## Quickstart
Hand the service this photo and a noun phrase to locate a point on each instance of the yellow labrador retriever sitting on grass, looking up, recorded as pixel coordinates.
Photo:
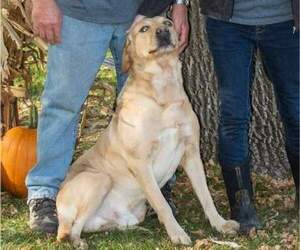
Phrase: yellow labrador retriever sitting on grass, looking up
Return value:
(153, 130)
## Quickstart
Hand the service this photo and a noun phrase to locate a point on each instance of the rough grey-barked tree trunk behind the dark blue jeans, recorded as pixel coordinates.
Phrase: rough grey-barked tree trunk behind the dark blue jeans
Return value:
(265, 134)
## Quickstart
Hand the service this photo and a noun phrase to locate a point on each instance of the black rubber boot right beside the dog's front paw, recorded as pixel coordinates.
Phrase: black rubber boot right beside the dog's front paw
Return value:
(239, 191)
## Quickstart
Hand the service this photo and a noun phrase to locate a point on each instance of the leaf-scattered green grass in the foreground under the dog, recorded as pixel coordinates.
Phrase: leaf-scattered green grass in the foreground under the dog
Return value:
(280, 222)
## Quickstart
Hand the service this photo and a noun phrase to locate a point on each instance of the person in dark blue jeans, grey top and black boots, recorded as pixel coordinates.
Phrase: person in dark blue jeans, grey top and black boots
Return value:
(254, 25)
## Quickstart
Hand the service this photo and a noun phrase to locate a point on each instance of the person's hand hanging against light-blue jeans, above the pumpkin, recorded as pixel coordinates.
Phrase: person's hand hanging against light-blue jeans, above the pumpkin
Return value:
(47, 19)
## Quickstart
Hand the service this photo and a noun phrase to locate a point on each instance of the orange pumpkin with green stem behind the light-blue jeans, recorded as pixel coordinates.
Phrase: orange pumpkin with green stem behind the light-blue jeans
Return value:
(18, 156)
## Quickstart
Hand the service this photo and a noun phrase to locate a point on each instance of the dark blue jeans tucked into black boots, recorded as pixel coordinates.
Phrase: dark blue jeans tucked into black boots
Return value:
(233, 47)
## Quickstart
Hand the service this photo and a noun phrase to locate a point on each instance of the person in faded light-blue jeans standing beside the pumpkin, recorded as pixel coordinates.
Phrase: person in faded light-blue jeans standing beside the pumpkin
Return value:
(79, 34)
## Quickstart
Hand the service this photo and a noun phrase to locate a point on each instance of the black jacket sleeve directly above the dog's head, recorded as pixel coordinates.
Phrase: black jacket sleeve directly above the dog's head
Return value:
(151, 8)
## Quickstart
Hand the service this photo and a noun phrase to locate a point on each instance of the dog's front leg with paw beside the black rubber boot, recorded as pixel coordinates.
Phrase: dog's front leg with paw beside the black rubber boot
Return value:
(193, 166)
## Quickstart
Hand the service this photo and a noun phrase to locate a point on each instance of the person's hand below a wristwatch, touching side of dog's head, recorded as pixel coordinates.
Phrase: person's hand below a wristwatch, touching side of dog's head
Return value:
(181, 24)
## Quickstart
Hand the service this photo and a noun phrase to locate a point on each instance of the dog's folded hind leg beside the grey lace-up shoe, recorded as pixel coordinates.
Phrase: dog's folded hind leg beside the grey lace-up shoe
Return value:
(77, 201)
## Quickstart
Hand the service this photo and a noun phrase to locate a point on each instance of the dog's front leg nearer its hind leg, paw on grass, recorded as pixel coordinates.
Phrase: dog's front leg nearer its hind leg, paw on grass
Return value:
(144, 174)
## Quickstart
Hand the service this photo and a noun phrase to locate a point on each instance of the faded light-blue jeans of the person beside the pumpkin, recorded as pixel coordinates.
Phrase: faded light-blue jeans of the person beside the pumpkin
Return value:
(72, 68)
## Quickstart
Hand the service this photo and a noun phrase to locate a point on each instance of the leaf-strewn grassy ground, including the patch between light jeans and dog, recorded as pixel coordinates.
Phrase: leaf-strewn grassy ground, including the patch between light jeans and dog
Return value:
(274, 200)
